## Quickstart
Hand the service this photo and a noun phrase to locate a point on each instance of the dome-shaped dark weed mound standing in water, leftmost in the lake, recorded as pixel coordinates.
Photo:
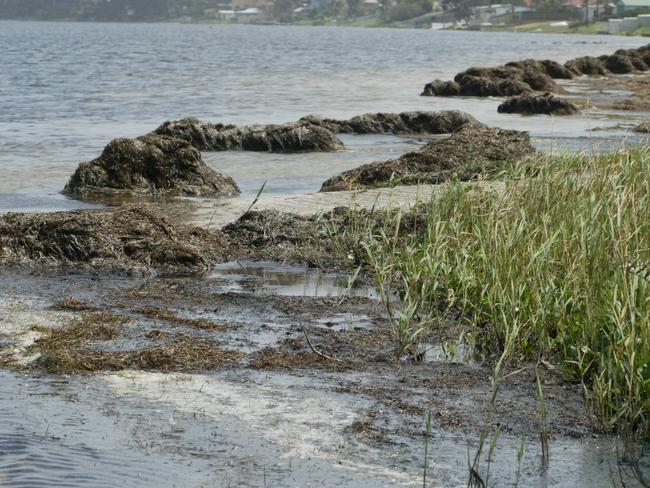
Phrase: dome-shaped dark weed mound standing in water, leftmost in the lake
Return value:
(148, 165)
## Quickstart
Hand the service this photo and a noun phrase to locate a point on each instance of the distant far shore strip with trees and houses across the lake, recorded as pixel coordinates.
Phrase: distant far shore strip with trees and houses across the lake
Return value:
(468, 15)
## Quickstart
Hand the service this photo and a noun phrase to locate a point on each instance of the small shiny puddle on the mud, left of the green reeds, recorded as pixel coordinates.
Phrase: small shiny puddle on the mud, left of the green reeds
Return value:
(285, 281)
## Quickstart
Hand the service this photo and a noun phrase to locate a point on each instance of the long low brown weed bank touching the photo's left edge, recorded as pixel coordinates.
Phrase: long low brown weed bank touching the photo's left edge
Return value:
(133, 236)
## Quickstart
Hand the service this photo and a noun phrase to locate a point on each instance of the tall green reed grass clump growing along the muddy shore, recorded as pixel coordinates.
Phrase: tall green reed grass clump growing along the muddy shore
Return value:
(555, 266)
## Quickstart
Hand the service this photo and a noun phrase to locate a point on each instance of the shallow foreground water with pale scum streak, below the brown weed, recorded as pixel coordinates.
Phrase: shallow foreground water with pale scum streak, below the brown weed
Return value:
(153, 430)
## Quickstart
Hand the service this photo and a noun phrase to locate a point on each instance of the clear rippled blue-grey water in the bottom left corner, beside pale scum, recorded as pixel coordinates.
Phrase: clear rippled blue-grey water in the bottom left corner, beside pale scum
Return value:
(55, 433)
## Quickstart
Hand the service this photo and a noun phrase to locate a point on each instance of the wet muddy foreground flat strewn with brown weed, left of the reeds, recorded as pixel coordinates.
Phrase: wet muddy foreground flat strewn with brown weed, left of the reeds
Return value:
(279, 413)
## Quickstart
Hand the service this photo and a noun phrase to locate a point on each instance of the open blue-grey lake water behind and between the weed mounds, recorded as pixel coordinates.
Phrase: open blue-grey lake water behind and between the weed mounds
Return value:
(67, 89)
